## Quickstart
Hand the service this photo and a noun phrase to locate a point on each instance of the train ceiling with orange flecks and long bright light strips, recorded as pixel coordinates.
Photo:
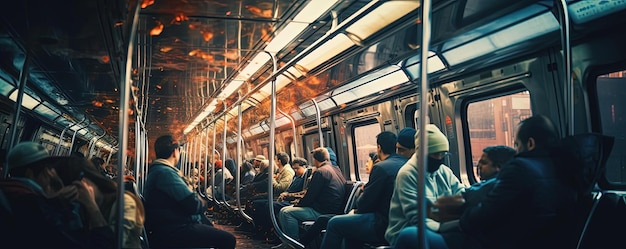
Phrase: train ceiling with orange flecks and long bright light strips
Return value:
(194, 58)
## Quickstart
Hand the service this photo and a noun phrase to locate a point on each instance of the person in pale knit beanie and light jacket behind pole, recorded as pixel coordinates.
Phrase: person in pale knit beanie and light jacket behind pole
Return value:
(440, 181)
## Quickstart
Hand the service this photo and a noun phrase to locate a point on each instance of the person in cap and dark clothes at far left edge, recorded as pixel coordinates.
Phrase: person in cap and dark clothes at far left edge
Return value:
(41, 205)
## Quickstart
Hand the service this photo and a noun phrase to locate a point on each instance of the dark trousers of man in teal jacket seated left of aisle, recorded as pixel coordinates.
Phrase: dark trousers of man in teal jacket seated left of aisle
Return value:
(190, 235)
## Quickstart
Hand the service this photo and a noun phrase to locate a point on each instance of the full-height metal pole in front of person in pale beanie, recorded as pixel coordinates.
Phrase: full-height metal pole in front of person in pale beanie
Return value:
(423, 146)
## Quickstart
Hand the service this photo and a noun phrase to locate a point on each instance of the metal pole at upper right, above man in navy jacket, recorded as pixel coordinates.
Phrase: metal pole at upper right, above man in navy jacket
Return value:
(563, 17)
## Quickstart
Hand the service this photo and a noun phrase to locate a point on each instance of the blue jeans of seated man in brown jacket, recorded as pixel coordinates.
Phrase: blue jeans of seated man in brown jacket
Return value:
(290, 218)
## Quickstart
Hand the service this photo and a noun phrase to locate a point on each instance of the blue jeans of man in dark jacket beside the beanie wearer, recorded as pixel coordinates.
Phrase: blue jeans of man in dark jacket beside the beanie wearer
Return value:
(354, 228)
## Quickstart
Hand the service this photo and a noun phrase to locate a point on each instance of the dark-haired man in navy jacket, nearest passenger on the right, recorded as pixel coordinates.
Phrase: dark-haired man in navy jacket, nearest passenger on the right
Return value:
(531, 202)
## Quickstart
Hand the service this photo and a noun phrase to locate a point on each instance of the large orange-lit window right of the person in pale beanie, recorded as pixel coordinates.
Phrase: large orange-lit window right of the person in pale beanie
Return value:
(492, 122)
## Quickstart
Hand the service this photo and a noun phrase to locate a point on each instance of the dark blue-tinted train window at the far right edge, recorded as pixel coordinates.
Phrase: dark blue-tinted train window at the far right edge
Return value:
(612, 107)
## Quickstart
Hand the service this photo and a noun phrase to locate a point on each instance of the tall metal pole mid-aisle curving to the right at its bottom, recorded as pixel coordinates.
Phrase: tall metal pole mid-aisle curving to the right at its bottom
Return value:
(270, 190)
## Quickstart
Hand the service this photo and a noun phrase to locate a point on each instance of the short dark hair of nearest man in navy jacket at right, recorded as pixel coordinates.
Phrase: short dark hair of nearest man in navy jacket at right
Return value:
(541, 129)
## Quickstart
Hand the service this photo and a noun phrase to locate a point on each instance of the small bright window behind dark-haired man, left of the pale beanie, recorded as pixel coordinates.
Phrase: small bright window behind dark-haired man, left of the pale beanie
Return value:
(364, 140)
